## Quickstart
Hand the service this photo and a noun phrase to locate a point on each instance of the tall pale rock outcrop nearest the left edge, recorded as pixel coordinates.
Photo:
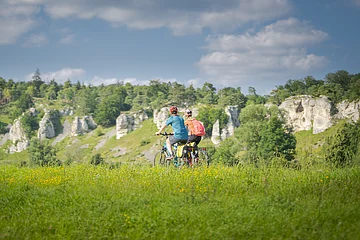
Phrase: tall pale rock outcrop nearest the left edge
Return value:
(18, 138)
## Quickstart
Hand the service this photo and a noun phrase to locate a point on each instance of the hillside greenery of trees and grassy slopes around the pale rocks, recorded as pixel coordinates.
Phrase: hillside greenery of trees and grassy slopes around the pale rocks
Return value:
(261, 138)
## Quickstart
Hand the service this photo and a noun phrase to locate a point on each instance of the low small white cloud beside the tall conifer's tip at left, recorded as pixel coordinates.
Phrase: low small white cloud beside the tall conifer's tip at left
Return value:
(60, 76)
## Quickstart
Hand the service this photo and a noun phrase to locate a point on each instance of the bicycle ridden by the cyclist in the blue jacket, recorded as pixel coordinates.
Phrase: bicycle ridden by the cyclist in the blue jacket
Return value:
(162, 157)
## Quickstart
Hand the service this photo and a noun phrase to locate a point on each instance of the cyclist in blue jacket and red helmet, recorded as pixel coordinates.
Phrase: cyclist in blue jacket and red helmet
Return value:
(178, 126)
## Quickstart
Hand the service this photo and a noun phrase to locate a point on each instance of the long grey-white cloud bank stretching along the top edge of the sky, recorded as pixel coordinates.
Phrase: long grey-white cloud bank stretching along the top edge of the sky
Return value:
(181, 17)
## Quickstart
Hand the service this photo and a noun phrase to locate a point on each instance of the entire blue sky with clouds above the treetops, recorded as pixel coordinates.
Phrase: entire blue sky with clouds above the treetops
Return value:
(229, 43)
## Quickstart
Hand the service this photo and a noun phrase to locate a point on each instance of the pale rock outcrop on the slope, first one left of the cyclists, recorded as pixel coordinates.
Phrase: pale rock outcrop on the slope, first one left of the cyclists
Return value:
(126, 123)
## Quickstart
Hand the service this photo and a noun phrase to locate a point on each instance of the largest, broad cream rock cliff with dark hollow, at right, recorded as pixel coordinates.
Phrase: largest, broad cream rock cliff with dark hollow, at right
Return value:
(305, 112)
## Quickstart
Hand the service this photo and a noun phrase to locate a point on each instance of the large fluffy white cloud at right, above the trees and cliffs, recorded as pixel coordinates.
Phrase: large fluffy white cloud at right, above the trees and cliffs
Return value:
(279, 48)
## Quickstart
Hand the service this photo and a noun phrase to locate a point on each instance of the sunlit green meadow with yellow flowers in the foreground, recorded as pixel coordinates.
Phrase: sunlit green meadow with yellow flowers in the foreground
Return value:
(134, 202)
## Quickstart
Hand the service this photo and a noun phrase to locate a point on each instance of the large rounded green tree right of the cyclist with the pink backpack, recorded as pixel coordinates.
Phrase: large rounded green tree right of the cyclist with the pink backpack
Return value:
(263, 135)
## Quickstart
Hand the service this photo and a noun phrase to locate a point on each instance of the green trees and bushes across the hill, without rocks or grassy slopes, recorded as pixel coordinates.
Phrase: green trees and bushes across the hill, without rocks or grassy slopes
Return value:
(261, 137)
